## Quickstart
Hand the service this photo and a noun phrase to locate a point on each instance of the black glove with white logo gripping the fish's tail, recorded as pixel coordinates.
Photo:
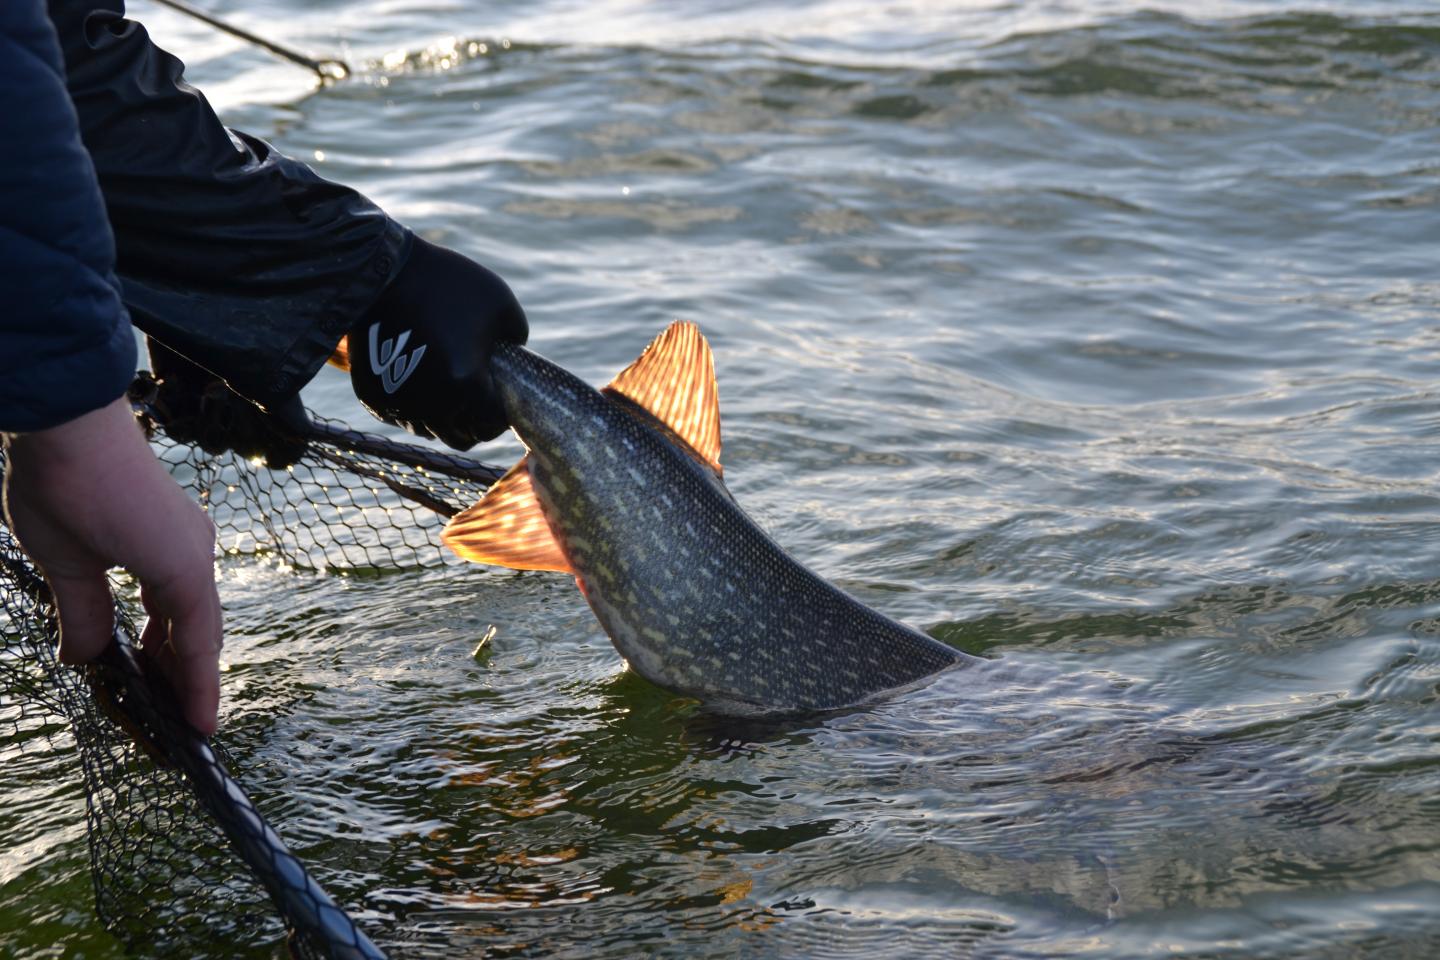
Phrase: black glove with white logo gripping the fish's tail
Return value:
(421, 356)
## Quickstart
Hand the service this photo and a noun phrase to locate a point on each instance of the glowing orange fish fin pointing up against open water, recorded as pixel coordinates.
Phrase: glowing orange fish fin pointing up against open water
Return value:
(676, 381)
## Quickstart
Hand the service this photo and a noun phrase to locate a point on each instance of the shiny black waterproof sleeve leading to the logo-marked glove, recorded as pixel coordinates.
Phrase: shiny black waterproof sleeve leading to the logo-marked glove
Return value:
(233, 255)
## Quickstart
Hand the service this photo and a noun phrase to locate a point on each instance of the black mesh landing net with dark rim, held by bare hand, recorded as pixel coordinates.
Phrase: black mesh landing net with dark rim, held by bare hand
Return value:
(179, 854)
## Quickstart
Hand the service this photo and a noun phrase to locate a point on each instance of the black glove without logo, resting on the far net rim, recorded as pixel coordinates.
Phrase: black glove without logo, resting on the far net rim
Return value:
(195, 407)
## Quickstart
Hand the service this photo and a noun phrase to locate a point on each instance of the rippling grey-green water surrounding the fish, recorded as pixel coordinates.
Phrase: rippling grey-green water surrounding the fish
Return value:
(1095, 338)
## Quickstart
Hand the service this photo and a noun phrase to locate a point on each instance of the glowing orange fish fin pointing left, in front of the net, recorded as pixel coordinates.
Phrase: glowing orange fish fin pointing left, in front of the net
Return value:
(508, 527)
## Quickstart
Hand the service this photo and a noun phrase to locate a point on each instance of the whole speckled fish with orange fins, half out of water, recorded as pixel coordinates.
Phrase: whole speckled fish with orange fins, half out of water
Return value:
(623, 489)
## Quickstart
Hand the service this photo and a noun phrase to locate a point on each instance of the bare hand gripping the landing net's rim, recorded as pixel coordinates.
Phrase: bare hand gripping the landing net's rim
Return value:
(90, 496)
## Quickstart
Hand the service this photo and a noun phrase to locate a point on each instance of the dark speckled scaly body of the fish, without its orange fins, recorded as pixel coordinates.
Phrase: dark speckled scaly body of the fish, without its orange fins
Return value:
(695, 595)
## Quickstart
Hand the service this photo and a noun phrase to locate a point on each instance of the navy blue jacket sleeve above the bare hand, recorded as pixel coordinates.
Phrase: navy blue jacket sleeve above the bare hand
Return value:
(66, 343)
